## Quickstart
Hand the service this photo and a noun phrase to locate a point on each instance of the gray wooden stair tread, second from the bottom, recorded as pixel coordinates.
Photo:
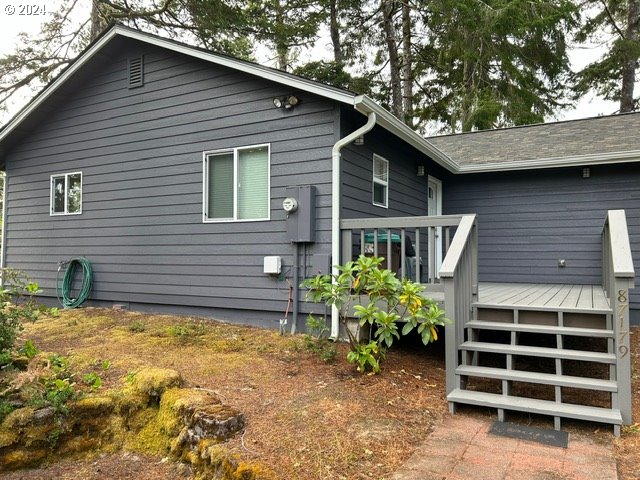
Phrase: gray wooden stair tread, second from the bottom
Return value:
(536, 377)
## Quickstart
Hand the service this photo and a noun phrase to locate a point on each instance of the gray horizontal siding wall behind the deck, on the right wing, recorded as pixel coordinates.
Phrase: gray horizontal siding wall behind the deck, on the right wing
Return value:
(529, 220)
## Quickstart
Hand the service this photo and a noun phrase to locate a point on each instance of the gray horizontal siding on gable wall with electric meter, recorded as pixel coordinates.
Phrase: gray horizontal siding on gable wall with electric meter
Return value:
(140, 152)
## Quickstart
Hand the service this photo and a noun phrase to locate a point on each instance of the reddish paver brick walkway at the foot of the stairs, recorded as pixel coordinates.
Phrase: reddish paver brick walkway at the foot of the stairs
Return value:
(461, 448)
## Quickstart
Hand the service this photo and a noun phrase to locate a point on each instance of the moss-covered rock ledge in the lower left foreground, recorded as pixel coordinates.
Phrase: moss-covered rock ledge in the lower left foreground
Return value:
(152, 414)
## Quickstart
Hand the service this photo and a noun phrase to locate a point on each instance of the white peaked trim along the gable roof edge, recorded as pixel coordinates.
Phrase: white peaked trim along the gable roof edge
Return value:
(262, 72)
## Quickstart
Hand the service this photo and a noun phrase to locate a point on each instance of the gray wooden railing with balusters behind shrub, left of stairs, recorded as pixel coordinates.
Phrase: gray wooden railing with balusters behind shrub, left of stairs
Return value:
(457, 277)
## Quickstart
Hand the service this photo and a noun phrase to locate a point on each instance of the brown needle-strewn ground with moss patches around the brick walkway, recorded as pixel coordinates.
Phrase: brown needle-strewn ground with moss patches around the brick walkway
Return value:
(305, 419)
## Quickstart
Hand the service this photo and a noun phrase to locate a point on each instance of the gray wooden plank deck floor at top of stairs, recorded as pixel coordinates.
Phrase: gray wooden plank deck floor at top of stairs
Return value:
(539, 296)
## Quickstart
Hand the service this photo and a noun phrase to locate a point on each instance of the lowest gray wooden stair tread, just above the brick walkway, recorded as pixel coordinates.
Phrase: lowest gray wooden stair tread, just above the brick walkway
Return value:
(530, 405)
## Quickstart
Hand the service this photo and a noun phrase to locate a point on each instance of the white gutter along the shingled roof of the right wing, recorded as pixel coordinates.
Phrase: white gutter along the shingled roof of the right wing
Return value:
(554, 162)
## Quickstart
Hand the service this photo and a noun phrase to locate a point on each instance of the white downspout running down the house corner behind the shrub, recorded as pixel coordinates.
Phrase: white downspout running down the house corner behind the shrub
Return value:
(335, 207)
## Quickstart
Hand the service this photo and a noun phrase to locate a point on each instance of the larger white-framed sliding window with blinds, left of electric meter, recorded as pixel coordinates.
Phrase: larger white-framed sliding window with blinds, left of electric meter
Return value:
(236, 184)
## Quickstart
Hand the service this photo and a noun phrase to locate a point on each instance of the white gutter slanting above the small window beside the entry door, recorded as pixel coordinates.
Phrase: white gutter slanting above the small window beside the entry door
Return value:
(389, 122)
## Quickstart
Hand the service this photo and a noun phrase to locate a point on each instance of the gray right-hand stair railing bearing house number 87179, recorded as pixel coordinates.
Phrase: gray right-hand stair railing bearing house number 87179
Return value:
(617, 278)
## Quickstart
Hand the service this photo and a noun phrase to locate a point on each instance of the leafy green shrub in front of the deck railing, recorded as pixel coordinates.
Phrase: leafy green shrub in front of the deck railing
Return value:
(387, 302)
